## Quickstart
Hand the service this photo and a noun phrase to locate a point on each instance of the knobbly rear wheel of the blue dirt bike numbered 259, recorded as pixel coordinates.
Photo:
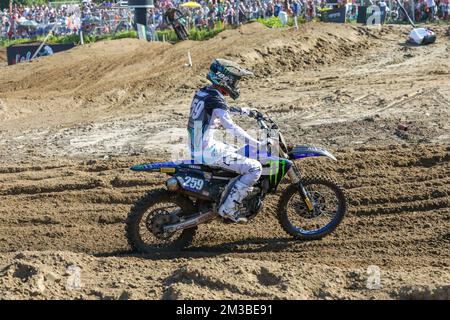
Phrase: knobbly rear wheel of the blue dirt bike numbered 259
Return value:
(144, 223)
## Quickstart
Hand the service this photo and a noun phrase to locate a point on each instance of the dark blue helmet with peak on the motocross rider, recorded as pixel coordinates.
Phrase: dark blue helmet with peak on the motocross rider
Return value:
(225, 75)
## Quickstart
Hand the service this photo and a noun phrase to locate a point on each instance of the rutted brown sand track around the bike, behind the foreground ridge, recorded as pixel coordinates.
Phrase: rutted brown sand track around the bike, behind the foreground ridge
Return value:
(56, 206)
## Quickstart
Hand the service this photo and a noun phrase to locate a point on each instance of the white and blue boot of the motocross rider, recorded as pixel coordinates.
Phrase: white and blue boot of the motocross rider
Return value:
(230, 207)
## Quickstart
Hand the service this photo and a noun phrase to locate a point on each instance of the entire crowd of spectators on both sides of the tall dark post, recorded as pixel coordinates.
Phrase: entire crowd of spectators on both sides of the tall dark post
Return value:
(107, 17)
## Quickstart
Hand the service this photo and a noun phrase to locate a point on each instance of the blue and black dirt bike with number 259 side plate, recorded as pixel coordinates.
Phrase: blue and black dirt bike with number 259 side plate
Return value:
(168, 218)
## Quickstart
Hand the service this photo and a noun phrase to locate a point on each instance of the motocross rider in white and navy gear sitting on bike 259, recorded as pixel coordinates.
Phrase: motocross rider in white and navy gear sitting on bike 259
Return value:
(209, 109)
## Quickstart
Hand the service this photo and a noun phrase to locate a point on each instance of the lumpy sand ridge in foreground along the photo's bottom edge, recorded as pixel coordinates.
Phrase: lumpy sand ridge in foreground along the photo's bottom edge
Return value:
(67, 275)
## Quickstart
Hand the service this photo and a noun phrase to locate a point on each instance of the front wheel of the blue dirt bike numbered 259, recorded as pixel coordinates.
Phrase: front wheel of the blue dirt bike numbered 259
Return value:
(329, 207)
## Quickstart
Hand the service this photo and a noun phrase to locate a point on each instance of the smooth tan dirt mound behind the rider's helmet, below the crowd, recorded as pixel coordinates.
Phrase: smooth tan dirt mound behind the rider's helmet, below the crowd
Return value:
(112, 75)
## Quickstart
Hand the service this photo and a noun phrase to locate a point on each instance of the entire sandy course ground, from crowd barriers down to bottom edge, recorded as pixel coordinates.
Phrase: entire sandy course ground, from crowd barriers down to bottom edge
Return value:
(71, 130)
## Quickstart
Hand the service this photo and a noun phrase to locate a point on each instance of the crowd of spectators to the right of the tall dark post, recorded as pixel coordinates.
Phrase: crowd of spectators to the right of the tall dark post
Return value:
(234, 11)
